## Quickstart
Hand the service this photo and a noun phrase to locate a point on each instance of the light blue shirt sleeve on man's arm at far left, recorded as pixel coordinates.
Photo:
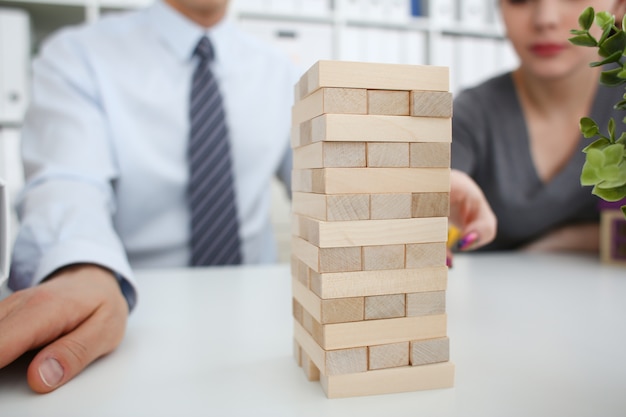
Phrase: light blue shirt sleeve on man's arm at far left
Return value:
(66, 207)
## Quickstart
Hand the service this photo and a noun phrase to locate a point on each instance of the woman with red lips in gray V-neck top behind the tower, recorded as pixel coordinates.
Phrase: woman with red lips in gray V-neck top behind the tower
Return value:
(517, 135)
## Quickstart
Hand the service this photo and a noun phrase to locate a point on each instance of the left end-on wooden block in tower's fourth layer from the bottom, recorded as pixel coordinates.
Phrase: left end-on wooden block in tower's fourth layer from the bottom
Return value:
(337, 310)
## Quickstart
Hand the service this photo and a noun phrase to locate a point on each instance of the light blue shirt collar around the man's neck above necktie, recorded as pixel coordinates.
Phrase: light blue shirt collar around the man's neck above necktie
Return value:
(181, 35)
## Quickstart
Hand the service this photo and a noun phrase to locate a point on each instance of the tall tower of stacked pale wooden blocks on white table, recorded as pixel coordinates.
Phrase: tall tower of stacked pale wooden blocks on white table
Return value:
(371, 185)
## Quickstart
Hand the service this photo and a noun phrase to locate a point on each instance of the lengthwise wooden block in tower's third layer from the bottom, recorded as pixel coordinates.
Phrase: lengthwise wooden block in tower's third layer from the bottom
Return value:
(378, 332)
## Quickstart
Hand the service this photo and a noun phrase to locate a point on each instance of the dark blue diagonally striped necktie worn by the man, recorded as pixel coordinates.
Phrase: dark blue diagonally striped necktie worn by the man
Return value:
(214, 224)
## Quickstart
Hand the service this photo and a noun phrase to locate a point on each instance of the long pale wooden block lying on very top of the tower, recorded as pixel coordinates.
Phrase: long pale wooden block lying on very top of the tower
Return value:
(377, 76)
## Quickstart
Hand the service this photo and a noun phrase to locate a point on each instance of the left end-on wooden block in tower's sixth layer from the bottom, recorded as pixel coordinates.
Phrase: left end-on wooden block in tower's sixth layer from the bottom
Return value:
(327, 259)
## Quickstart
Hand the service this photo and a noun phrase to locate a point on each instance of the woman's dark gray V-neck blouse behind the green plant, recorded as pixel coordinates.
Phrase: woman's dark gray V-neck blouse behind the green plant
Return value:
(490, 143)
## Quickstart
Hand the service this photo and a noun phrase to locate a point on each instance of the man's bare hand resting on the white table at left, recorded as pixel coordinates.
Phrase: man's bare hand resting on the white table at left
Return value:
(77, 315)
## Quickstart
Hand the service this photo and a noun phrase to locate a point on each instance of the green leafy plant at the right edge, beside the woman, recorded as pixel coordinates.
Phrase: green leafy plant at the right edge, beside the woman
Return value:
(605, 163)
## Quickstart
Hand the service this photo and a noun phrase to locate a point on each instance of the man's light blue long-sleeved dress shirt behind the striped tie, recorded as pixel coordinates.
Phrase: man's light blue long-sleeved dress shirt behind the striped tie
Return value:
(105, 139)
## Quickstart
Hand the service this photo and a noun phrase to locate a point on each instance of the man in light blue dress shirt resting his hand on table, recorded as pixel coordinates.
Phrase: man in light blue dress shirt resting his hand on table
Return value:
(105, 153)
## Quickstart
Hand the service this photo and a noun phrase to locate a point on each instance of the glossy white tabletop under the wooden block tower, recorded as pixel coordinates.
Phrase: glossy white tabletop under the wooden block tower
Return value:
(530, 336)
